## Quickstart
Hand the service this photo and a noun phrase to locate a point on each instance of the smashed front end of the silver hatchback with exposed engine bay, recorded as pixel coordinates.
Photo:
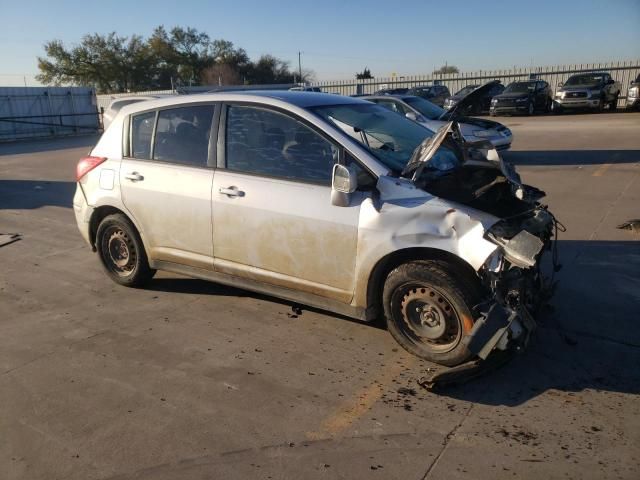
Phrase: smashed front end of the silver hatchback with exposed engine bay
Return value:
(512, 275)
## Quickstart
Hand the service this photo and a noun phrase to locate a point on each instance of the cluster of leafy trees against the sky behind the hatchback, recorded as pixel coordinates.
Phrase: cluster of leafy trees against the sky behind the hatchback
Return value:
(181, 56)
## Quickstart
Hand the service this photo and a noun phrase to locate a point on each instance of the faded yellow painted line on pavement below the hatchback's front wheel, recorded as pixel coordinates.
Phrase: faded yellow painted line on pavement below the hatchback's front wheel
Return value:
(361, 401)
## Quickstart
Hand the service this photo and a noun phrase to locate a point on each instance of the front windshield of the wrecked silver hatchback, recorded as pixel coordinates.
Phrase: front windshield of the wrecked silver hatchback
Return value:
(390, 137)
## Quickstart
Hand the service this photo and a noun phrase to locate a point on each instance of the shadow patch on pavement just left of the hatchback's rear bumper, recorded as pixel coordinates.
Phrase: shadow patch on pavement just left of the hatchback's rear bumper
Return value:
(30, 194)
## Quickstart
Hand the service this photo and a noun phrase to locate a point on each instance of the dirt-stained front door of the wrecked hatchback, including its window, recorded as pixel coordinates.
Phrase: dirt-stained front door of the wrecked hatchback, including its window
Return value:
(273, 220)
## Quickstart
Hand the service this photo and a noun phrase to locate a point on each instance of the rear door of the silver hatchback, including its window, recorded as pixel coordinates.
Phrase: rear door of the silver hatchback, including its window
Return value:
(166, 179)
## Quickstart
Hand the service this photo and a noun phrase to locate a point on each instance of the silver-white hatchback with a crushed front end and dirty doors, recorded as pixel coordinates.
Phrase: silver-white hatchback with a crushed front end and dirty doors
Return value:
(324, 200)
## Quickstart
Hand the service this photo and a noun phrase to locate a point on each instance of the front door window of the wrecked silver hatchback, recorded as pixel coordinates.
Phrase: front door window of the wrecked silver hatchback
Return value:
(269, 143)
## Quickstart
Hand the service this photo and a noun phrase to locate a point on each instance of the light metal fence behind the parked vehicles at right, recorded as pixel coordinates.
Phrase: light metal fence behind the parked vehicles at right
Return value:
(623, 72)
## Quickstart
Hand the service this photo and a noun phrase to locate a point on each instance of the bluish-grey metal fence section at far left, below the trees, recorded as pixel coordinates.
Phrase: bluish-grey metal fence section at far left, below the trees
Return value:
(29, 112)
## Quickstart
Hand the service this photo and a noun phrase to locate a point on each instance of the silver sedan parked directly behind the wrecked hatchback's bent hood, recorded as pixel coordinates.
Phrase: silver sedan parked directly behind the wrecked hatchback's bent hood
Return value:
(434, 117)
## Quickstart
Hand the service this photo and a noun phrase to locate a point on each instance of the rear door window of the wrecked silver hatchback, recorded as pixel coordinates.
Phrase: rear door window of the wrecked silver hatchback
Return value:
(182, 135)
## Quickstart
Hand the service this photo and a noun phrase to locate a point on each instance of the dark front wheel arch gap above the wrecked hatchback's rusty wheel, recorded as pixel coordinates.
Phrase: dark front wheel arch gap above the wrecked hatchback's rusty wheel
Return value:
(394, 259)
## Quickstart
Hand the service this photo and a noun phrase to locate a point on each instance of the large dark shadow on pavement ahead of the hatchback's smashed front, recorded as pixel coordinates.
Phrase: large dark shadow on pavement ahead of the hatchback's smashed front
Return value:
(588, 340)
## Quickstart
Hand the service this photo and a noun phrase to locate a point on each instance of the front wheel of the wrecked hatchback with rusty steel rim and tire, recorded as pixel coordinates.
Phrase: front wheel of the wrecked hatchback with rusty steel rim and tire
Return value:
(428, 307)
